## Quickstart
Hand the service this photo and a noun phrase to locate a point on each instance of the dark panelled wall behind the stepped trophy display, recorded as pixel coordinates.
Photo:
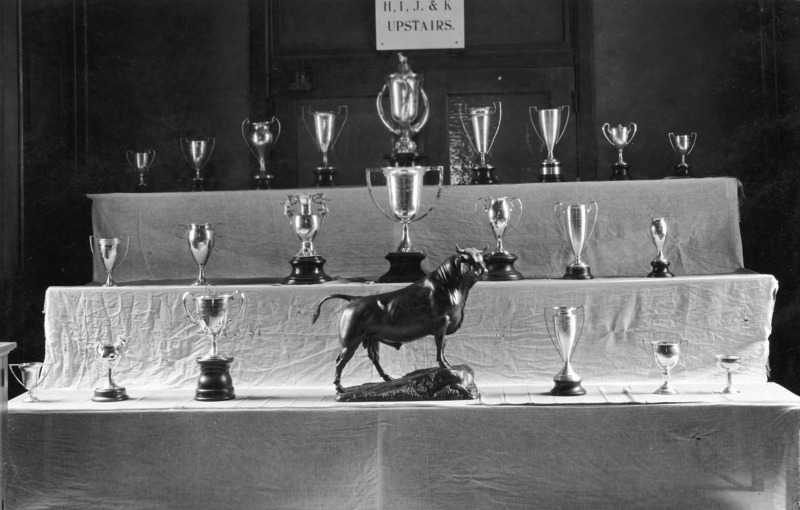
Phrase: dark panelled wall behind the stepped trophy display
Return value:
(100, 77)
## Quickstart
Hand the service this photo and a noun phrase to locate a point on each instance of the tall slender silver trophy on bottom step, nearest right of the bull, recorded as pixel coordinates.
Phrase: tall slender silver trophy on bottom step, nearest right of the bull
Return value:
(565, 337)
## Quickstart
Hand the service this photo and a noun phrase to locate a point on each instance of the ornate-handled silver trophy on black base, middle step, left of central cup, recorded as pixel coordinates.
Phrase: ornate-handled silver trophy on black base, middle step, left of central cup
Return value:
(307, 264)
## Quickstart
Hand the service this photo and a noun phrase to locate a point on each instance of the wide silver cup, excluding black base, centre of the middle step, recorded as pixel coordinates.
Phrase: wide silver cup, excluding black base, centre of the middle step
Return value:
(404, 184)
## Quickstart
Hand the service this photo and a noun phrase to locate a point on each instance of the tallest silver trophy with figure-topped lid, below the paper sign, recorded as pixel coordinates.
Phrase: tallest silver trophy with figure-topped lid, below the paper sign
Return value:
(405, 118)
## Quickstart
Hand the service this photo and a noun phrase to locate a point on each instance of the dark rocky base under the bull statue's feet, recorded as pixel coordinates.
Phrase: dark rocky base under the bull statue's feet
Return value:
(454, 383)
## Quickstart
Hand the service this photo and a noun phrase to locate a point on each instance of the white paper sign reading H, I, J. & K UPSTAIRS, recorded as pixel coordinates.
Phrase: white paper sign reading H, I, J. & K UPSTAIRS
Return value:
(419, 24)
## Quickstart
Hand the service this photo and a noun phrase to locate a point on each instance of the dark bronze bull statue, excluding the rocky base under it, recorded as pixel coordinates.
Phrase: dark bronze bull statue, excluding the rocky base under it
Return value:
(433, 305)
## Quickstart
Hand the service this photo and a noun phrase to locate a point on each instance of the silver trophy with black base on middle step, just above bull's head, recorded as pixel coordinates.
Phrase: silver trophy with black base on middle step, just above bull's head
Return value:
(500, 262)
